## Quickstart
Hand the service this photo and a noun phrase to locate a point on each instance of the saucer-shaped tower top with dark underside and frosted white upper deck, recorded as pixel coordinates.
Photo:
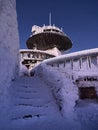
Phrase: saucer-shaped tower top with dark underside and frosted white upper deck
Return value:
(48, 37)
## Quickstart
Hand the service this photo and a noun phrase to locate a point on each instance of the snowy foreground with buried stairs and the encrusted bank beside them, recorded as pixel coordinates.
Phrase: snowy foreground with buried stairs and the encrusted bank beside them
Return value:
(47, 100)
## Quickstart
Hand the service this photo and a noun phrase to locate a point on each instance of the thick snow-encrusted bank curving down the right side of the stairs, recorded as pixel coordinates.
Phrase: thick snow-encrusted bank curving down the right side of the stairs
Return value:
(62, 87)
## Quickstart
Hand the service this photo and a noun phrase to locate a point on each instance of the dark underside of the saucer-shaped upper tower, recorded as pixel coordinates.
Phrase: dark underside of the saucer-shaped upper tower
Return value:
(45, 41)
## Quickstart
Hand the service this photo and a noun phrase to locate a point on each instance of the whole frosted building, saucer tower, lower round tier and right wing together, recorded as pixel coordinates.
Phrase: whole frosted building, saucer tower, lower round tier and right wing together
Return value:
(49, 41)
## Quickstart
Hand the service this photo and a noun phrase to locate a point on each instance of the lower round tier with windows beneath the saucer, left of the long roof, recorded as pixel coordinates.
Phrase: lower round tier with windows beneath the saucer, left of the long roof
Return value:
(30, 58)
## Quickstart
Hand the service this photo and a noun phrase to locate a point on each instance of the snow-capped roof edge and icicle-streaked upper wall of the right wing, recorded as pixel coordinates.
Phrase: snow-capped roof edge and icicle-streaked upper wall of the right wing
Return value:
(82, 62)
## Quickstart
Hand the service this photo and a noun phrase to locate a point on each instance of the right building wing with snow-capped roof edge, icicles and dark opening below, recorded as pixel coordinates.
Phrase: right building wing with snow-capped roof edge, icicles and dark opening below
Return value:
(82, 68)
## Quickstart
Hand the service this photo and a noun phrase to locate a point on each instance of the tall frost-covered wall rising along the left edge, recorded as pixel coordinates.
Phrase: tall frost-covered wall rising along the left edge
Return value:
(9, 44)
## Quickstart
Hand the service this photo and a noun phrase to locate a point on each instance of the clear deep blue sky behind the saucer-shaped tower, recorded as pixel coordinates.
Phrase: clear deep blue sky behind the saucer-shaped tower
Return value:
(78, 18)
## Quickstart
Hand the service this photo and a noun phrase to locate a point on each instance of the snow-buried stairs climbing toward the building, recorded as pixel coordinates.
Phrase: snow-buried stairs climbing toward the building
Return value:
(31, 98)
